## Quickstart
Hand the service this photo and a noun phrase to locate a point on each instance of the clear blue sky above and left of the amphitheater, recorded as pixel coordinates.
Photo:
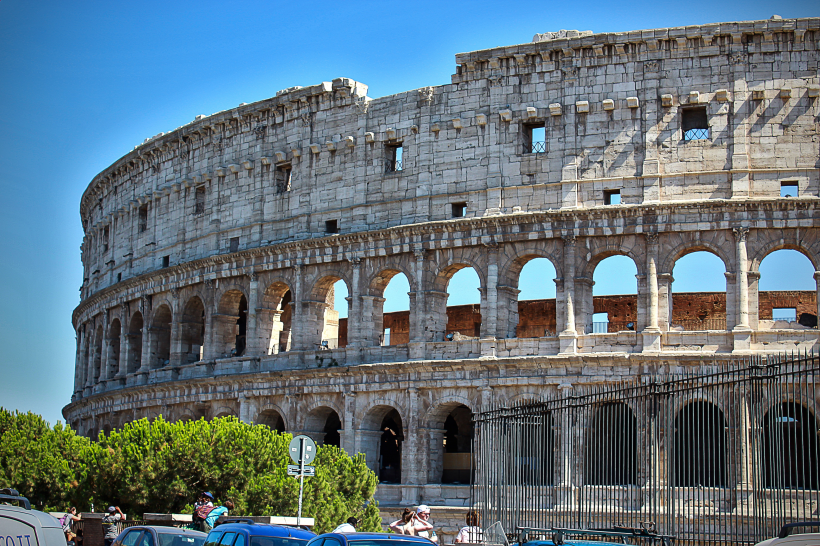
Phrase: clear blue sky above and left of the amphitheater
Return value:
(82, 83)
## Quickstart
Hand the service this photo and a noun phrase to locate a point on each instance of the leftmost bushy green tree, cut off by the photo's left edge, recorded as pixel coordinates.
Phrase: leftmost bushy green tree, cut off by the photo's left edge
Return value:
(46, 464)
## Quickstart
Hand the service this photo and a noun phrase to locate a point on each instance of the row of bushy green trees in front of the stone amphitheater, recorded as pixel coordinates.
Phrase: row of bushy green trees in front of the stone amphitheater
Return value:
(161, 467)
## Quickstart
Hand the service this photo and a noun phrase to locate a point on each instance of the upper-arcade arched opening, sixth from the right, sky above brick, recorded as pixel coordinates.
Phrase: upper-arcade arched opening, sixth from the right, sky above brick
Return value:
(390, 308)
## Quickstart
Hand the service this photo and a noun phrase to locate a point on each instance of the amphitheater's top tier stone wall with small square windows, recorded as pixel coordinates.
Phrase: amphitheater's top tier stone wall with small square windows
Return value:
(611, 106)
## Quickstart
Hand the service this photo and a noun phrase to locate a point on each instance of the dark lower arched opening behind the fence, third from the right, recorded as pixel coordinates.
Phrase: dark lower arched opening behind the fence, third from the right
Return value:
(610, 457)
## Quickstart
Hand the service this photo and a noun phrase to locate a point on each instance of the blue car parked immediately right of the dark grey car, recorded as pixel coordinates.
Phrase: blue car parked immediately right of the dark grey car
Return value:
(245, 532)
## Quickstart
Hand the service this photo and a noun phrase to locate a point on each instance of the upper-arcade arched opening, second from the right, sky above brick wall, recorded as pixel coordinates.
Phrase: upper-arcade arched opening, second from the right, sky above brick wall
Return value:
(698, 293)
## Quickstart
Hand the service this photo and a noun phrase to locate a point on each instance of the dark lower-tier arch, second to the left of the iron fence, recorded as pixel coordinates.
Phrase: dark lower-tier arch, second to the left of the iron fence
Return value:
(381, 438)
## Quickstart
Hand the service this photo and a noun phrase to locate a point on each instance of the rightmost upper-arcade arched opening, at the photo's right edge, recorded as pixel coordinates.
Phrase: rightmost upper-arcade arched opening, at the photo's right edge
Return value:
(787, 291)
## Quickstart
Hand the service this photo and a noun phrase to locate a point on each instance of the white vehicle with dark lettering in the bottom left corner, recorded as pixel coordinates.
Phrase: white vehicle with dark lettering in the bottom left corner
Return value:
(22, 525)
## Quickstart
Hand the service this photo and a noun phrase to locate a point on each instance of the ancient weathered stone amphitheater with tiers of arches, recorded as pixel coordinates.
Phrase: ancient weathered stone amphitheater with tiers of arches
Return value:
(211, 251)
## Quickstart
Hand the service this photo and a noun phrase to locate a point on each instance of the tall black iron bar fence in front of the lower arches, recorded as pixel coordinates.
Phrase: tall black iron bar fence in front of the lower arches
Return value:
(723, 457)
